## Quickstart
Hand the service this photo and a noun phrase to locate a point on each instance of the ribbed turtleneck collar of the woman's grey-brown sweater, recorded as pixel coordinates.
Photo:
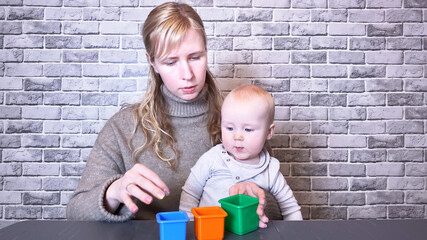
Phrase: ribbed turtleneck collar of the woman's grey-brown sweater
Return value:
(178, 107)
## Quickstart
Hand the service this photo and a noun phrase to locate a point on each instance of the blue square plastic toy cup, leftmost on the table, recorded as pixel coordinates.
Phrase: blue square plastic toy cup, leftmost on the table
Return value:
(172, 225)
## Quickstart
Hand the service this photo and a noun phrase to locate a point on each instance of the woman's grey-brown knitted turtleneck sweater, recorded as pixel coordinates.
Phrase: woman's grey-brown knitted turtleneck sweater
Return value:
(111, 157)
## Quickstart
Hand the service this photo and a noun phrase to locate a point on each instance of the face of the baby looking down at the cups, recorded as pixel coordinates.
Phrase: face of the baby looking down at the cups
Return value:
(244, 128)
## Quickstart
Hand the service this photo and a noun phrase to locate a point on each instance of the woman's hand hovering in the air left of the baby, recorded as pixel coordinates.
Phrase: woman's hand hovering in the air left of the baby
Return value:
(139, 182)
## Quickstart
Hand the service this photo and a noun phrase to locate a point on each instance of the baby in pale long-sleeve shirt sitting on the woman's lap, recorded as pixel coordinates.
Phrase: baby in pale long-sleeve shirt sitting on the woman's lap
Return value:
(247, 117)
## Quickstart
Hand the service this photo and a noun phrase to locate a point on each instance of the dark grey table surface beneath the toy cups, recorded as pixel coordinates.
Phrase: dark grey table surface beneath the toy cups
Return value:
(289, 230)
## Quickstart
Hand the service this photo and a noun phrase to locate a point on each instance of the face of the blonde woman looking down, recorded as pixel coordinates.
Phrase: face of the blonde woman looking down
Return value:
(183, 70)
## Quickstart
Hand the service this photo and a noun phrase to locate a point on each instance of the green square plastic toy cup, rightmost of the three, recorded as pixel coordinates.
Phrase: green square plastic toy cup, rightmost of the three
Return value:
(242, 217)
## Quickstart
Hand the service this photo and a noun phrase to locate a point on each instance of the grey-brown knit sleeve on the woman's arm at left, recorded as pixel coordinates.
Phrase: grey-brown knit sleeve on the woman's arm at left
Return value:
(104, 166)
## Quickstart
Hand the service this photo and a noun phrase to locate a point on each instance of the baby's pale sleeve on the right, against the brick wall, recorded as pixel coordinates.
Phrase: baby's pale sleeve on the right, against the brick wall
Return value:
(282, 192)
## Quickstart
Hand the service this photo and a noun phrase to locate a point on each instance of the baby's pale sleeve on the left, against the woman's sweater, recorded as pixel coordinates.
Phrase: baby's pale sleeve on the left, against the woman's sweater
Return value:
(193, 188)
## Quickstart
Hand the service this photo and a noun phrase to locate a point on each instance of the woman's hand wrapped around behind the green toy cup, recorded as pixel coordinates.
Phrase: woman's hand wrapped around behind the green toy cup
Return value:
(251, 189)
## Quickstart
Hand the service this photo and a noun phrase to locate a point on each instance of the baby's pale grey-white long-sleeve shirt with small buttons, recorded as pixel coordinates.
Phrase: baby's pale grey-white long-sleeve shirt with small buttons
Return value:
(216, 171)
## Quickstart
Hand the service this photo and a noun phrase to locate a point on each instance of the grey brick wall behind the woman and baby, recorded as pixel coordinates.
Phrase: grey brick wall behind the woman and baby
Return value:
(348, 78)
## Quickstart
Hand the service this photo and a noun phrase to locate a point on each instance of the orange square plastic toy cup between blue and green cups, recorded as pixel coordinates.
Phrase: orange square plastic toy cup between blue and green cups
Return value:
(209, 222)
